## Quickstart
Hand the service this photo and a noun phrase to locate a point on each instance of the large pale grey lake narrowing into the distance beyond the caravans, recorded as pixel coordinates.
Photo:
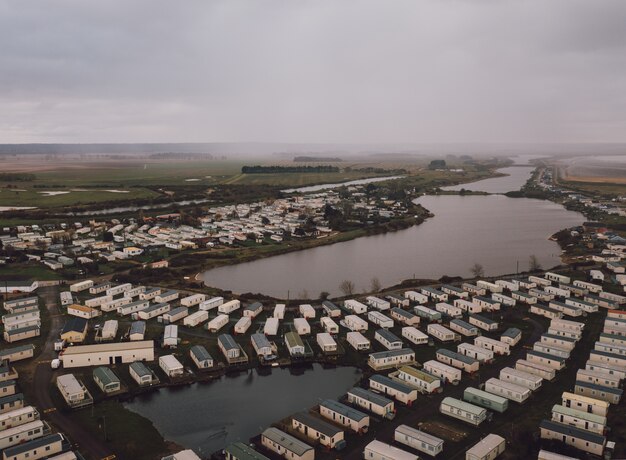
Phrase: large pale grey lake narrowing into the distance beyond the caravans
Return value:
(495, 231)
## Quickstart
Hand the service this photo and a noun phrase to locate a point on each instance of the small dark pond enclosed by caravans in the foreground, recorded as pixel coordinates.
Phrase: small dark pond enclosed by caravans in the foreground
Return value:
(207, 417)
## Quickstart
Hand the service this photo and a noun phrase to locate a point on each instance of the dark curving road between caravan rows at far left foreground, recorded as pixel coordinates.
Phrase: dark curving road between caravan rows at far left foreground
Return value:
(89, 445)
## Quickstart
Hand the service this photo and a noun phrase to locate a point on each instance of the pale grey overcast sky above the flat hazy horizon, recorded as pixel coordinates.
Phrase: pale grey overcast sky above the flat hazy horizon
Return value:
(361, 71)
